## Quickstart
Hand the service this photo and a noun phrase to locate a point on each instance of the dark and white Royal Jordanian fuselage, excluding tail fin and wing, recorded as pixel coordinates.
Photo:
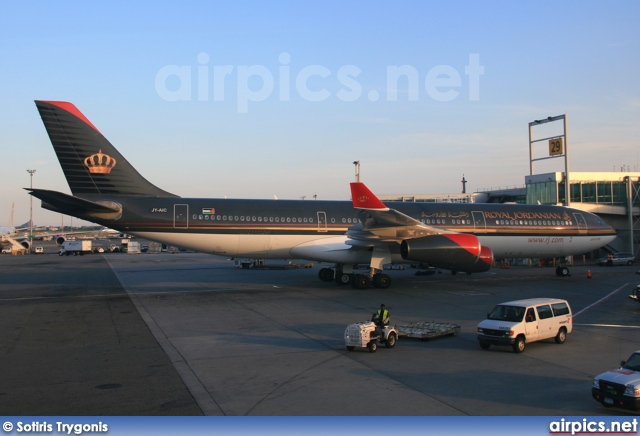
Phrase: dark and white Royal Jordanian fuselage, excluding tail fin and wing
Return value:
(316, 230)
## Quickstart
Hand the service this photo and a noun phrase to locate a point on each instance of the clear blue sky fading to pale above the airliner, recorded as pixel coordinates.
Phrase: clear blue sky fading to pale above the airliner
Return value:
(252, 99)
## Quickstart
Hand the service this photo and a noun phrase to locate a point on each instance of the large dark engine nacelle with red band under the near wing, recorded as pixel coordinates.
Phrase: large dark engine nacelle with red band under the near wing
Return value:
(456, 251)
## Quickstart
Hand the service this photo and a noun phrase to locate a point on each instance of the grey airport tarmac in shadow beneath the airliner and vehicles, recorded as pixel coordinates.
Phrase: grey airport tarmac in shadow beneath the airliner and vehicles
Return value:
(191, 334)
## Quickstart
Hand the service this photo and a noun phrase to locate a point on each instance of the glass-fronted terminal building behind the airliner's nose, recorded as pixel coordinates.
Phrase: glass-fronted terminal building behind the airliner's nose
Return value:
(614, 196)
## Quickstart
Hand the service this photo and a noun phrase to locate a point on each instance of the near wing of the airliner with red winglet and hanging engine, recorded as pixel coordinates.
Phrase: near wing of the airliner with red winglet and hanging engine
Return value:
(384, 230)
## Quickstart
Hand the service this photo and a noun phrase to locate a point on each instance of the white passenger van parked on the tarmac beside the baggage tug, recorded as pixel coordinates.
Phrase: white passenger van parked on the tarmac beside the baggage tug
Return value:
(518, 322)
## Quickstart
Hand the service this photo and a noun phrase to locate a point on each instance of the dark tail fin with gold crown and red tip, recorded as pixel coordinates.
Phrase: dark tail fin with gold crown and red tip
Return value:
(90, 163)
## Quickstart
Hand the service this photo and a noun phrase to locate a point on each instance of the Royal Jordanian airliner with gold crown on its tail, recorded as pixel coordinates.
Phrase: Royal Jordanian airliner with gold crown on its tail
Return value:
(108, 190)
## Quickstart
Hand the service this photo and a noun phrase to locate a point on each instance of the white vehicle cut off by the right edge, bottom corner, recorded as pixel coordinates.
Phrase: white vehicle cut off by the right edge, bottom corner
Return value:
(619, 387)
